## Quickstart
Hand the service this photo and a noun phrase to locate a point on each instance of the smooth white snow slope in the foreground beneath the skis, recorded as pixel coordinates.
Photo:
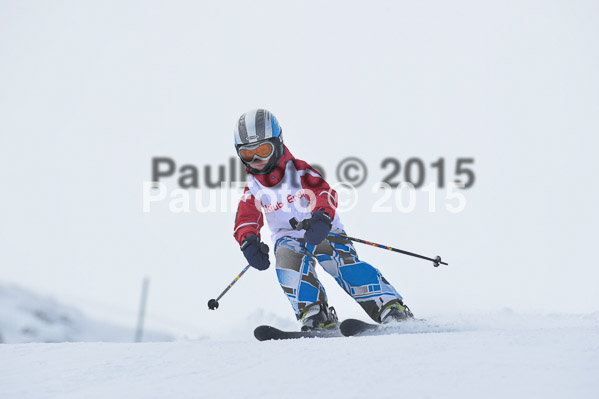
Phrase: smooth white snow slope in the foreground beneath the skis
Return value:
(503, 355)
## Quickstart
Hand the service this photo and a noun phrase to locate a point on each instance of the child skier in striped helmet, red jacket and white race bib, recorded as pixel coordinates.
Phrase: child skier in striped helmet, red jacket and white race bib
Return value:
(285, 187)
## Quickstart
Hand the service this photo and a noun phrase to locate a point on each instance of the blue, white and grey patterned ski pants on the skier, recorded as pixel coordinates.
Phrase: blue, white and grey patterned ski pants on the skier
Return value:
(297, 276)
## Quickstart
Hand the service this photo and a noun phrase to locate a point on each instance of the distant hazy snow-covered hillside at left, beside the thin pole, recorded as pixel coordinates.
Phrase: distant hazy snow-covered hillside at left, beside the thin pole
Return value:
(29, 317)
